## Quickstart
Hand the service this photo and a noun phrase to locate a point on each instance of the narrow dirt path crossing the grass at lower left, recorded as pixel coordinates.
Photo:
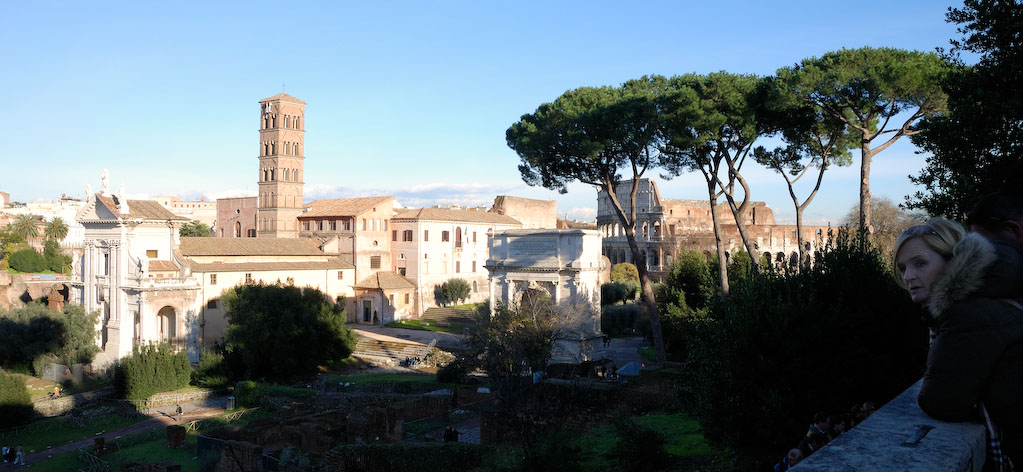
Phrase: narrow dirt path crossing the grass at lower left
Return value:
(159, 419)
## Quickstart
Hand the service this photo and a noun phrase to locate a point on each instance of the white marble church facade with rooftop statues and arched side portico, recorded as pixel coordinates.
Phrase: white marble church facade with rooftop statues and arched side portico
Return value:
(124, 240)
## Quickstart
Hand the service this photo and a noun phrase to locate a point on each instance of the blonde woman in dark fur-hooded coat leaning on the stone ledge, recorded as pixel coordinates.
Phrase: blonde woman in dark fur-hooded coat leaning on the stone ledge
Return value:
(971, 289)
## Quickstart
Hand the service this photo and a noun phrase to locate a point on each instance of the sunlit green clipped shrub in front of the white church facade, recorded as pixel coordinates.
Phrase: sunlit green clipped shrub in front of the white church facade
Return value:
(152, 369)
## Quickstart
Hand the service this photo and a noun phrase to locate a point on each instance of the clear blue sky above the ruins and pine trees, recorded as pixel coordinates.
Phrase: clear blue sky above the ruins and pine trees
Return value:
(406, 99)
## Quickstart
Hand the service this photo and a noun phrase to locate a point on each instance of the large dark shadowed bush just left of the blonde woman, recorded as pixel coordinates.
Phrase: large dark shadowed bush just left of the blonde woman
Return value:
(790, 344)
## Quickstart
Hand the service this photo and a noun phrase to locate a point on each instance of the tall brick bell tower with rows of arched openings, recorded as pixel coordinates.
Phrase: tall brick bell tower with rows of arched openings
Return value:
(282, 147)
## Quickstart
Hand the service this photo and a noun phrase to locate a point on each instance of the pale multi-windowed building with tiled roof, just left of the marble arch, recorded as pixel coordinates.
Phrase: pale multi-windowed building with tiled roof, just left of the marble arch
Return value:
(431, 246)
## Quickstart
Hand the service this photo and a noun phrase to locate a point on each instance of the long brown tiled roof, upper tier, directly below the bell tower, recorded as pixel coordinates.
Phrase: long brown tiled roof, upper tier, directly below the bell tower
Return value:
(250, 247)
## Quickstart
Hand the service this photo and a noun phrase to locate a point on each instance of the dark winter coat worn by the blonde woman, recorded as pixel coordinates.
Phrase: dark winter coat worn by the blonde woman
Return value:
(978, 353)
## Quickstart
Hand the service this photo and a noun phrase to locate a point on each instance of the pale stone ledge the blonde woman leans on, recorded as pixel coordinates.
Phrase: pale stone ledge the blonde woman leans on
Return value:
(901, 437)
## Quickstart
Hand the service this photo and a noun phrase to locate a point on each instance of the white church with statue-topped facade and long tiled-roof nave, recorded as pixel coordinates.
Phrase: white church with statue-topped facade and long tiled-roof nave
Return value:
(153, 286)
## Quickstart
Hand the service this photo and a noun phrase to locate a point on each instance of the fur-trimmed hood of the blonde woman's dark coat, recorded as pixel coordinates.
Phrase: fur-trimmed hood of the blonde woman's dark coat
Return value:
(978, 269)
